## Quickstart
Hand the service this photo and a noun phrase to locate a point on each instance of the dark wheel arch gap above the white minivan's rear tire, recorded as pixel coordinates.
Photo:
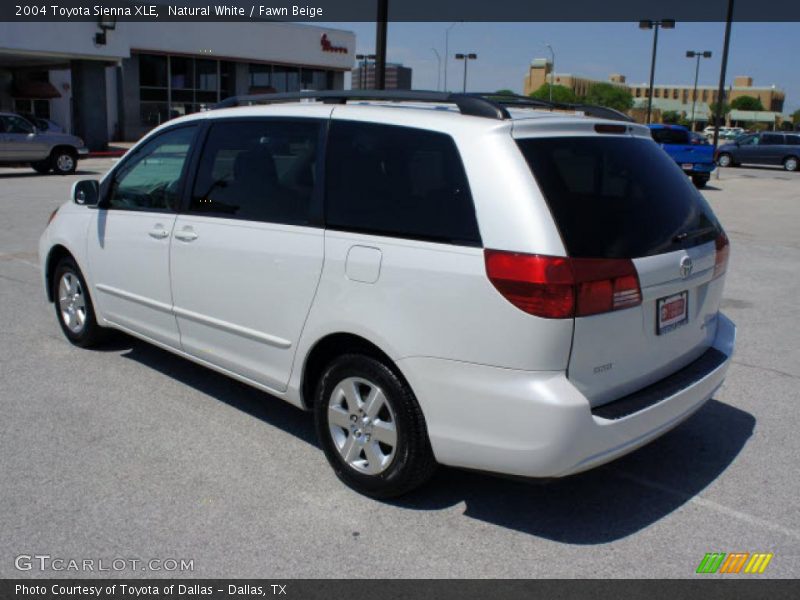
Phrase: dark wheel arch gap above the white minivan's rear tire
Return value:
(327, 349)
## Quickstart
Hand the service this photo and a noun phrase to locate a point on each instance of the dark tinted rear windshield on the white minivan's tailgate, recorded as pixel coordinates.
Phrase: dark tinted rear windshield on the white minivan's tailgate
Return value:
(618, 197)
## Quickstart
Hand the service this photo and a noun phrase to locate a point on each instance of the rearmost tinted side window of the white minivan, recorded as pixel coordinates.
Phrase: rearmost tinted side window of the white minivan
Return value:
(398, 181)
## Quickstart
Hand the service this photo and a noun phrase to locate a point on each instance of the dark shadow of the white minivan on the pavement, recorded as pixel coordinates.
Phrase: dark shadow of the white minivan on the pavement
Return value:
(596, 507)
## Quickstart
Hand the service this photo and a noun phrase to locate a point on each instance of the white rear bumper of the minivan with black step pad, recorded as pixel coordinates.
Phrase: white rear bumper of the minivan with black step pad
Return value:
(537, 424)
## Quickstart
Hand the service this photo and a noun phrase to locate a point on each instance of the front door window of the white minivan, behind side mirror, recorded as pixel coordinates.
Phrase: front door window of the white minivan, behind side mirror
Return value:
(151, 178)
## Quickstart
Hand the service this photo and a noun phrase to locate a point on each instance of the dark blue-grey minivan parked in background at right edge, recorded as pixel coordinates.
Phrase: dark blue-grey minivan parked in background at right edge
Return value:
(767, 148)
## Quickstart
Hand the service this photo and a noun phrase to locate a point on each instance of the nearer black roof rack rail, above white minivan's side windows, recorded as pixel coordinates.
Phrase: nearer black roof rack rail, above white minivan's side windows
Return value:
(468, 104)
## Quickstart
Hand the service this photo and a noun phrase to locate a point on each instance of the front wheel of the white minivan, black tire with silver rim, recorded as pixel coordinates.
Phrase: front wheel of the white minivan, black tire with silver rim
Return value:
(74, 308)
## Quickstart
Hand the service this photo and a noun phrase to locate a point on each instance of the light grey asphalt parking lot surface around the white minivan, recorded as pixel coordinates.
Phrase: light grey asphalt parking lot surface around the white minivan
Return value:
(132, 452)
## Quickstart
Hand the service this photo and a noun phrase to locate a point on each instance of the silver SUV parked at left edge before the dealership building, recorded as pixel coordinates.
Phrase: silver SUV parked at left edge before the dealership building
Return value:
(22, 142)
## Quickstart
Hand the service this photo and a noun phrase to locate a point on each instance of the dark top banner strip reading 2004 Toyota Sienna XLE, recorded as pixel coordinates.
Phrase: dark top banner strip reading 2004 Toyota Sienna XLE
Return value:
(399, 10)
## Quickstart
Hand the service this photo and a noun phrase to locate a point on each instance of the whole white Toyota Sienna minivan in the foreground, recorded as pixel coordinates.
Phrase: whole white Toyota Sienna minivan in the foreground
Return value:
(512, 290)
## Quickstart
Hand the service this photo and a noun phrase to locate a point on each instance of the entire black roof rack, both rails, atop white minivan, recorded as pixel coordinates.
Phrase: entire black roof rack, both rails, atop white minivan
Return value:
(477, 104)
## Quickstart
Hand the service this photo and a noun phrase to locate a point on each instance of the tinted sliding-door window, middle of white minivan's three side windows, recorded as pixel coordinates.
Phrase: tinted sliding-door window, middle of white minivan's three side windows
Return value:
(258, 171)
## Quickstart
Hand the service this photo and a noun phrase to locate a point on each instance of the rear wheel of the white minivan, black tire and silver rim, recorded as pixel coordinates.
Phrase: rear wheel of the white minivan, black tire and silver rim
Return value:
(371, 428)
